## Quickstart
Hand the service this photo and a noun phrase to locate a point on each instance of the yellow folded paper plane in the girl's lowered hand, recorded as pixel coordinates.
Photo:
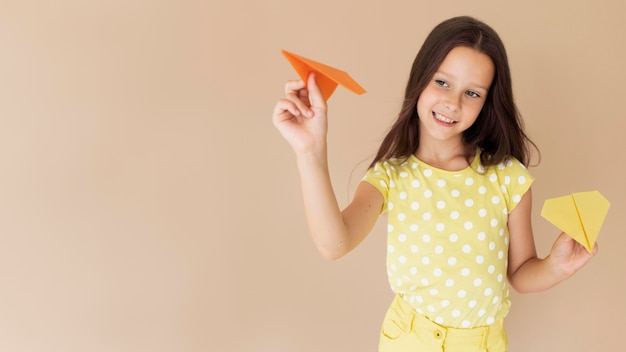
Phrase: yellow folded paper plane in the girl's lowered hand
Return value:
(580, 215)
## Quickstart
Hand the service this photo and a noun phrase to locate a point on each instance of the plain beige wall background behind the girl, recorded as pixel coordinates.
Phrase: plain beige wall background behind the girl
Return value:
(148, 204)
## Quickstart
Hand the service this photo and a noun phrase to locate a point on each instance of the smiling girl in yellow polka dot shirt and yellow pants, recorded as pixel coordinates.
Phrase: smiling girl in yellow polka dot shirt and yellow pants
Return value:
(451, 176)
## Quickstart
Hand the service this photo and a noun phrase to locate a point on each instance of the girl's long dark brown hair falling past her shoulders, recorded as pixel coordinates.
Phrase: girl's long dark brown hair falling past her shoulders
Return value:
(497, 130)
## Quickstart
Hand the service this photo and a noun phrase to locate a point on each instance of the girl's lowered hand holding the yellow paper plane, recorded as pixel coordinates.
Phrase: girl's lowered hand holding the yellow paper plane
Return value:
(569, 256)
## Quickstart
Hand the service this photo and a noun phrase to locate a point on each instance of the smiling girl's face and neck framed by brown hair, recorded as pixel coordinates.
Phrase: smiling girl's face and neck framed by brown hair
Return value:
(452, 100)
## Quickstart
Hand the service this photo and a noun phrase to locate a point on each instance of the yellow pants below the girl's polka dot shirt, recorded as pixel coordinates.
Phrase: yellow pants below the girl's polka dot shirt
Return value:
(406, 330)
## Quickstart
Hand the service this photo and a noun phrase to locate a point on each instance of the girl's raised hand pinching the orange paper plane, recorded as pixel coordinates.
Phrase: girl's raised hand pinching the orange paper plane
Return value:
(301, 116)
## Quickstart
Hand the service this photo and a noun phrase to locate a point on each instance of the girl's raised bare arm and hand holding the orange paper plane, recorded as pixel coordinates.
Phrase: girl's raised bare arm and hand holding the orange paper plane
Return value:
(301, 118)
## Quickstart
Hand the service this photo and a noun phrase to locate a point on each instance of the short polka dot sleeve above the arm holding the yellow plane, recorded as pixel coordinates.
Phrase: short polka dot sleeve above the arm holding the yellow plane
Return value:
(515, 180)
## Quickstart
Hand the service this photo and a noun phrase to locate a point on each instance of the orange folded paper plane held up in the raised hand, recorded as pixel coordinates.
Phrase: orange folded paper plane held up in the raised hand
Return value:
(327, 77)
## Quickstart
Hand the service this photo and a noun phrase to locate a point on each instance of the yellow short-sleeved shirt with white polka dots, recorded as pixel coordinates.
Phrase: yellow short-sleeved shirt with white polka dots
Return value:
(448, 238)
